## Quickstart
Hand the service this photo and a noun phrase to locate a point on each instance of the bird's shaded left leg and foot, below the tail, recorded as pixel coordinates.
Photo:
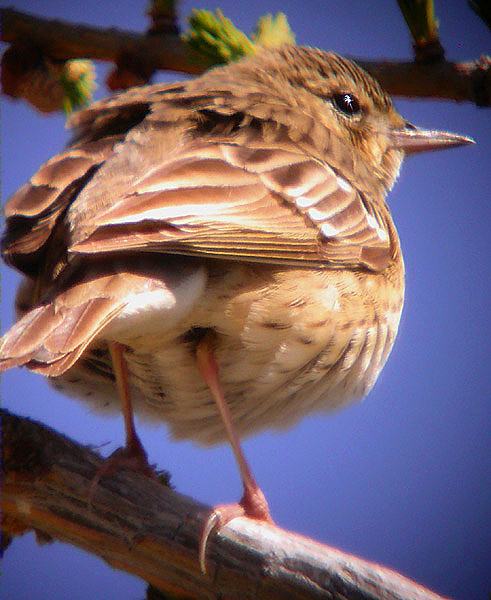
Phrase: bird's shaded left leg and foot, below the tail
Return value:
(132, 456)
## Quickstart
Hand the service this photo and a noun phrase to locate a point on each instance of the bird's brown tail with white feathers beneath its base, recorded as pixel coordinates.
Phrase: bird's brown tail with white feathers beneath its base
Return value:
(51, 336)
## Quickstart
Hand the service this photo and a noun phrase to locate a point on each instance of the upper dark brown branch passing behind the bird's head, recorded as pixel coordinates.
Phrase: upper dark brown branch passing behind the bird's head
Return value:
(463, 82)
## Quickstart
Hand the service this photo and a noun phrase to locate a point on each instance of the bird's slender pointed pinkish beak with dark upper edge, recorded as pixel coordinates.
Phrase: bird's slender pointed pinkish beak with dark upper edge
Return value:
(411, 139)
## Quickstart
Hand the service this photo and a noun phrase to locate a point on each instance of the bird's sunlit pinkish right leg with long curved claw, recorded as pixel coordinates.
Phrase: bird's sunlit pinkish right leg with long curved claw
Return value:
(253, 503)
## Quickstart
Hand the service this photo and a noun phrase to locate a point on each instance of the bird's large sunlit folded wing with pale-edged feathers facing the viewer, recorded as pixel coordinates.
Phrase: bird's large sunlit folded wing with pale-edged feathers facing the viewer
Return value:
(250, 200)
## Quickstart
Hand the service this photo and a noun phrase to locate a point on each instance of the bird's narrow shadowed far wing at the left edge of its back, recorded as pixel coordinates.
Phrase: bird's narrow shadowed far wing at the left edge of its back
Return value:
(34, 211)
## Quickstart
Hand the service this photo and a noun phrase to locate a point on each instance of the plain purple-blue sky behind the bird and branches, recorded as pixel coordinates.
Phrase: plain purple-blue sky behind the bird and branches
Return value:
(403, 478)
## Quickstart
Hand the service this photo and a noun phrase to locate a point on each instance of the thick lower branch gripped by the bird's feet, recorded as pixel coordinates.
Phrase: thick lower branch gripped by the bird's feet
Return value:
(147, 529)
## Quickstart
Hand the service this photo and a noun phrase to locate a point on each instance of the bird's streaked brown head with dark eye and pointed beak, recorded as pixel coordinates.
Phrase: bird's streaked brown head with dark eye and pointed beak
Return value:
(362, 134)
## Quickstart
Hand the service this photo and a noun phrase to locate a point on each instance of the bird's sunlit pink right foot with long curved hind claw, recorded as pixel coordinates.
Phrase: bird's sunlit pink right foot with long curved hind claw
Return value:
(253, 506)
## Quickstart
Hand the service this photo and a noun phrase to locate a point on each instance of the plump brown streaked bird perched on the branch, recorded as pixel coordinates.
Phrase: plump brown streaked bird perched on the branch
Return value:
(218, 254)
